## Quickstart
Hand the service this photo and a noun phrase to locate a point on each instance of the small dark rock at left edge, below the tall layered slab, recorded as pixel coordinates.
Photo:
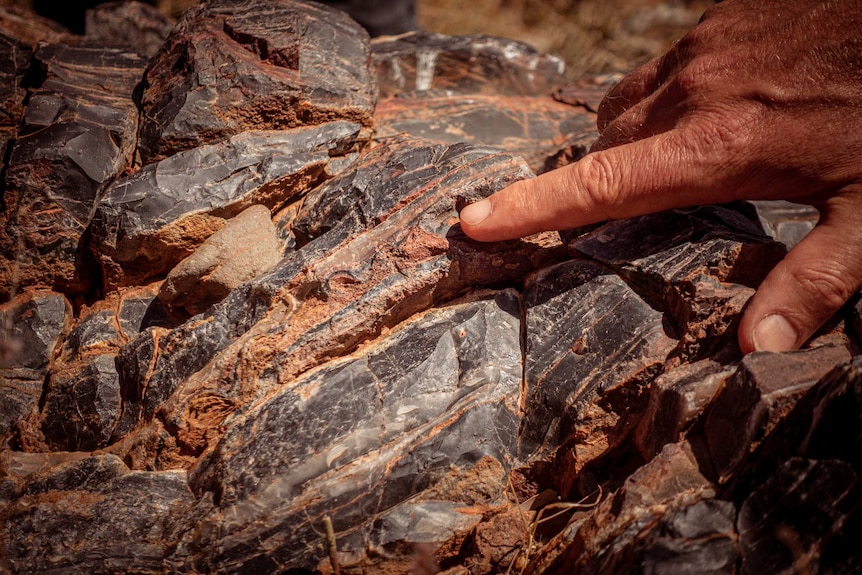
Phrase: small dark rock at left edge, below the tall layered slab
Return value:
(31, 328)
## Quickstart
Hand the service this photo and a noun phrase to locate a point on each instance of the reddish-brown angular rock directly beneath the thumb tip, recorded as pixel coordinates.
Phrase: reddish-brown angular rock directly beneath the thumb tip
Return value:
(761, 392)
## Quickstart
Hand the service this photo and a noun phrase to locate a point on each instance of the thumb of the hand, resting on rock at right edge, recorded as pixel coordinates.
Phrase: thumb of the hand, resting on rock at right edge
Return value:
(813, 281)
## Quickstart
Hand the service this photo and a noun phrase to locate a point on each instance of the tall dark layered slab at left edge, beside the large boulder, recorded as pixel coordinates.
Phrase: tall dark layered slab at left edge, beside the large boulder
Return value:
(76, 135)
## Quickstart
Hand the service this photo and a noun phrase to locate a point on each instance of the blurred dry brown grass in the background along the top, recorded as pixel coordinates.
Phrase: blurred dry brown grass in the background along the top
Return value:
(596, 36)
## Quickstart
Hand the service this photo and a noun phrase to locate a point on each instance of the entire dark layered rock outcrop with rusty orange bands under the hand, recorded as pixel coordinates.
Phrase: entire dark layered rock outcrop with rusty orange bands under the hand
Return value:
(243, 332)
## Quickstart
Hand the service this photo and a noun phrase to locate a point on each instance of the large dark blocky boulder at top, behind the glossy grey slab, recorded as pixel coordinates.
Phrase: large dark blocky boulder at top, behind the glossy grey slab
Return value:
(229, 67)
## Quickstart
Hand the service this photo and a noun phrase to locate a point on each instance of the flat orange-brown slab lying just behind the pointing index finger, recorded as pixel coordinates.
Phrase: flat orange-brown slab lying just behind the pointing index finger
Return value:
(536, 128)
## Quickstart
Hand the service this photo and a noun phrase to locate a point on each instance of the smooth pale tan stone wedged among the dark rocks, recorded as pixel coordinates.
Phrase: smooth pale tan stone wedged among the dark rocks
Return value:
(243, 249)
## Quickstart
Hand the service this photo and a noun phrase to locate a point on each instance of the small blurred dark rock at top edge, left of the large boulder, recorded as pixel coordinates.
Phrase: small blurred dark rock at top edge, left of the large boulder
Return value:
(133, 25)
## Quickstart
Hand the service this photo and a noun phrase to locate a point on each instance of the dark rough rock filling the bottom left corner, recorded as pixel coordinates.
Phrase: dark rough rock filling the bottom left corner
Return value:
(62, 527)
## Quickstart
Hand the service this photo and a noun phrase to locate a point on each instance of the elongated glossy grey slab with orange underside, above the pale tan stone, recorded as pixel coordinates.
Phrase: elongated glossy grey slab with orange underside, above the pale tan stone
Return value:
(148, 222)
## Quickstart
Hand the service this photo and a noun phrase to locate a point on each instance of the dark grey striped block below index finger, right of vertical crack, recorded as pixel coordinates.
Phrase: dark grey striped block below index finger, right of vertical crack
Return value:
(608, 344)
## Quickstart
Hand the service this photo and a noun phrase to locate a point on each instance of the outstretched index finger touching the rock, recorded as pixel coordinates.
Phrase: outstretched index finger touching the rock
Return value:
(641, 177)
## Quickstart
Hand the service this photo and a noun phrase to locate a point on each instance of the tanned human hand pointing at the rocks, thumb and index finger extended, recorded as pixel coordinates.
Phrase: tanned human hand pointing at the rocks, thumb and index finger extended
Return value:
(761, 100)
